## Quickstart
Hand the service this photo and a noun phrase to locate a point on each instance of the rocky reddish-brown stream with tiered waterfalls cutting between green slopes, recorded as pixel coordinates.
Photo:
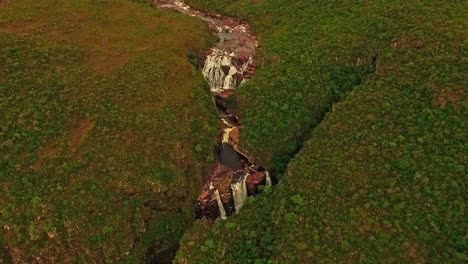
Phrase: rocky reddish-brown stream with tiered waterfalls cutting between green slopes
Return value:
(227, 65)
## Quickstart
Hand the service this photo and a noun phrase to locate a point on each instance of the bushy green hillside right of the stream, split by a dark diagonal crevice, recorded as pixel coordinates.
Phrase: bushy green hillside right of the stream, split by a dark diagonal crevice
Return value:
(382, 178)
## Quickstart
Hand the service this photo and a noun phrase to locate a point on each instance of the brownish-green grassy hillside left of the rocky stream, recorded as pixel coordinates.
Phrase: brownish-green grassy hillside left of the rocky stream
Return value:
(104, 129)
